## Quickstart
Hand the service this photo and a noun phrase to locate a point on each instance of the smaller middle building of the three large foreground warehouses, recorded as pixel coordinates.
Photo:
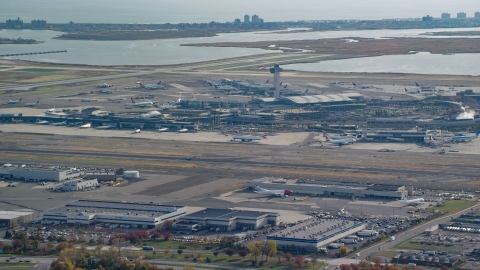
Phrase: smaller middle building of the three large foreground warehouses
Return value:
(228, 220)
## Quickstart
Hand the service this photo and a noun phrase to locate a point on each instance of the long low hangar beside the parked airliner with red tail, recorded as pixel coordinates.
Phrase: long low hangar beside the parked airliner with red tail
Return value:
(338, 189)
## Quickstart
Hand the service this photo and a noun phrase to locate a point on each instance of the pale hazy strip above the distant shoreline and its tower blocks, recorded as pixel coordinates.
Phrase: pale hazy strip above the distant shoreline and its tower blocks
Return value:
(160, 11)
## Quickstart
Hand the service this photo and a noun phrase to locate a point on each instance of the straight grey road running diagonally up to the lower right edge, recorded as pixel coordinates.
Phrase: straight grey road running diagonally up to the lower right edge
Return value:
(409, 234)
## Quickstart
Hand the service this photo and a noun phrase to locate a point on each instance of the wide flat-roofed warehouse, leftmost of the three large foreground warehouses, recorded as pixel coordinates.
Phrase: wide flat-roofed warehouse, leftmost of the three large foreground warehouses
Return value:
(135, 215)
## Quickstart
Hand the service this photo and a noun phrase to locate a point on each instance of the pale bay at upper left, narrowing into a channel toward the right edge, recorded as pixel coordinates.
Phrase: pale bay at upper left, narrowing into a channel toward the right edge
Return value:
(167, 51)
